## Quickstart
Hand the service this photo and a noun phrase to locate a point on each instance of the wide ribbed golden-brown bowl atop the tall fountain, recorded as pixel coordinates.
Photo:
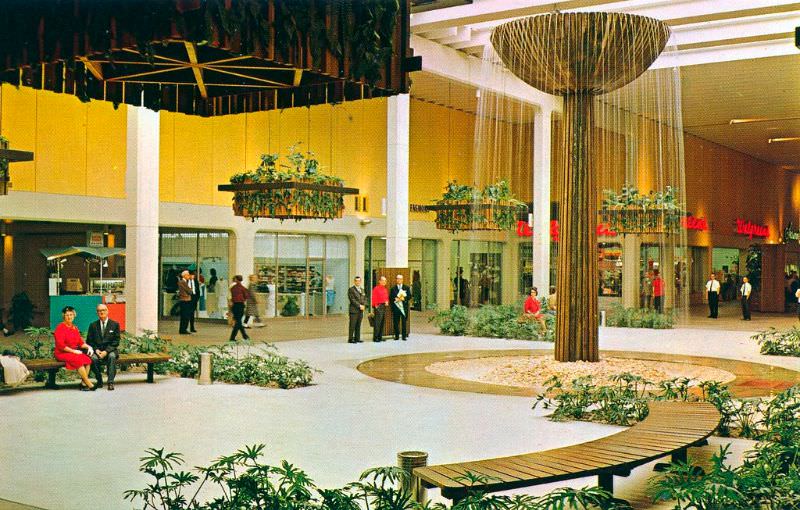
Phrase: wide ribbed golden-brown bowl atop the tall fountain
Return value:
(580, 52)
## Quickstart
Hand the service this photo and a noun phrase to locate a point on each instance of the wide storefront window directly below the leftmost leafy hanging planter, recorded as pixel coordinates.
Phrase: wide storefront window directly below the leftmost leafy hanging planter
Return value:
(301, 275)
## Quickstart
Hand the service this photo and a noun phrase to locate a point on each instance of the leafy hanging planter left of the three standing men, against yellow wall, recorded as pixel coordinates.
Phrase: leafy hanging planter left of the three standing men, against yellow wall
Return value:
(297, 191)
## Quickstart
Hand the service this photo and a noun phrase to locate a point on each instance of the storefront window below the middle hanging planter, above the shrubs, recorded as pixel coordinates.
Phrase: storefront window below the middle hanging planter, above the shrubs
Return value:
(475, 277)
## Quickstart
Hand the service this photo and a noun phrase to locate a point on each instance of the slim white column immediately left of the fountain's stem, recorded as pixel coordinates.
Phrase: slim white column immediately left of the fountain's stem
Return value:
(542, 131)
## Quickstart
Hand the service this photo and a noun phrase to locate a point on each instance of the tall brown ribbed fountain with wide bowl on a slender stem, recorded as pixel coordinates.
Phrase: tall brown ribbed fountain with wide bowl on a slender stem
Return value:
(578, 56)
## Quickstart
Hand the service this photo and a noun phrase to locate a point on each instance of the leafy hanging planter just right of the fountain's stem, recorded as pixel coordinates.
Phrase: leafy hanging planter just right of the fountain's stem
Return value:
(630, 212)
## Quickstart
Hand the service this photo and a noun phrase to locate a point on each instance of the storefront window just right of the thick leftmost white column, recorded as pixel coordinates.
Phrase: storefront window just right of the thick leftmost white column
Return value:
(207, 251)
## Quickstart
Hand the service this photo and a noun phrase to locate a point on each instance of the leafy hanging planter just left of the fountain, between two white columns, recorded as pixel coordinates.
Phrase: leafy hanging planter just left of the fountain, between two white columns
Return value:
(466, 208)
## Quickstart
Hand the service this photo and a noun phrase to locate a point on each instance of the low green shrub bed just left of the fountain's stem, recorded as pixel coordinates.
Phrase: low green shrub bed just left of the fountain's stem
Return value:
(495, 321)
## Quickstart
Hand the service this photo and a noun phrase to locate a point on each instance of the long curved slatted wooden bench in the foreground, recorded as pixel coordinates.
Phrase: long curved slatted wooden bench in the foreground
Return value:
(669, 429)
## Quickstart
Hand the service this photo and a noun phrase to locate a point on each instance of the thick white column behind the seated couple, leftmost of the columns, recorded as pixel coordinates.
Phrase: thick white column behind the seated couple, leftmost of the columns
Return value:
(141, 229)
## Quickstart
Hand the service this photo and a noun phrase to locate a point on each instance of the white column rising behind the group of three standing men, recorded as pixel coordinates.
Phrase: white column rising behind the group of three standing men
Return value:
(397, 122)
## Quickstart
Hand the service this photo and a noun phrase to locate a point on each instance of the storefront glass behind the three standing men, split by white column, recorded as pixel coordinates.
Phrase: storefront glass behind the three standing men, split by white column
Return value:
(422, 255)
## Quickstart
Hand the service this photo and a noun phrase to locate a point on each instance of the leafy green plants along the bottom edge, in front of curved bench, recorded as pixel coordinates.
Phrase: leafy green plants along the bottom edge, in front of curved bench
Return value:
(244, 481)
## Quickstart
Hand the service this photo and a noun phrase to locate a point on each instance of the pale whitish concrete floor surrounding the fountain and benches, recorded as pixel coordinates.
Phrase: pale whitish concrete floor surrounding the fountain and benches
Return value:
(346, 422)
